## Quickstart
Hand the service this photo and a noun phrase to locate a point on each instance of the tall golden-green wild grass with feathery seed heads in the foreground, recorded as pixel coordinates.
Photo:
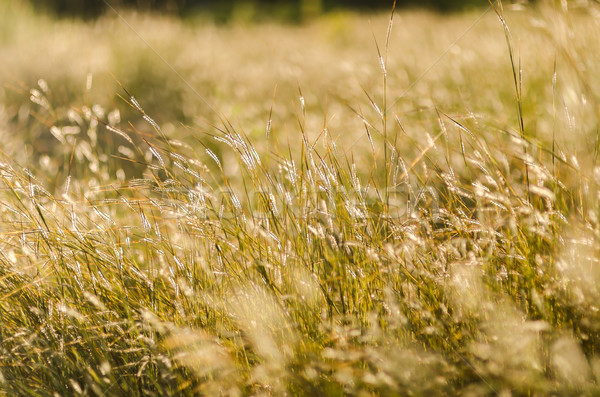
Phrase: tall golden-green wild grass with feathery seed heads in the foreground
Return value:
(447, 252)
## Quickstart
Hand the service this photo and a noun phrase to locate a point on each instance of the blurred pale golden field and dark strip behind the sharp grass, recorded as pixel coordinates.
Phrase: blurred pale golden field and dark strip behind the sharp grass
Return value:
(69, 63)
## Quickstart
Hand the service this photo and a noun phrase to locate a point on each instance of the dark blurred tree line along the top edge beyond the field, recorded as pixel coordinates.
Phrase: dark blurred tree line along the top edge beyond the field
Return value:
(92, 8)
